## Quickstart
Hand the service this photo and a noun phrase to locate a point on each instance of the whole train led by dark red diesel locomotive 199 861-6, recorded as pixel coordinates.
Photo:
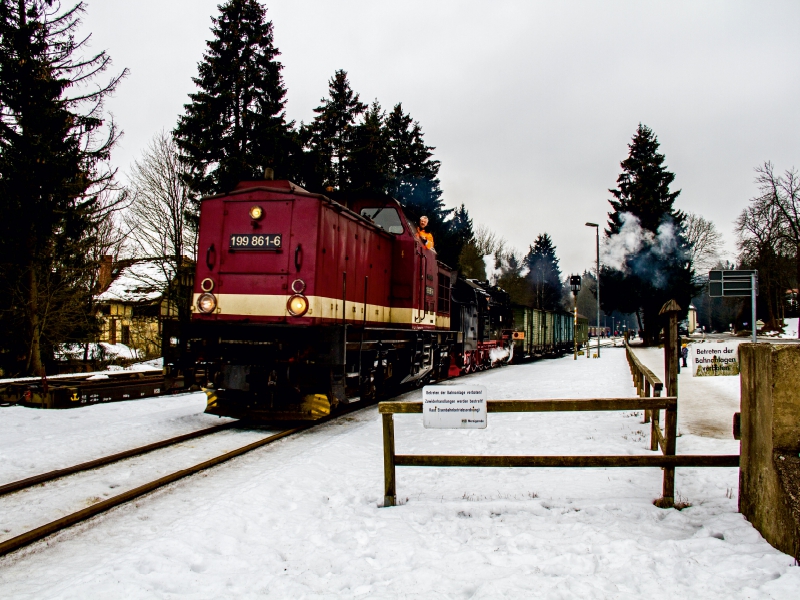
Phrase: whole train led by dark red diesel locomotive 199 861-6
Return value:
(302, 305)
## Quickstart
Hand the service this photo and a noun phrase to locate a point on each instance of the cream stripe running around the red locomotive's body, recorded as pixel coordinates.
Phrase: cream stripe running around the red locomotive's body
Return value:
(323, 308)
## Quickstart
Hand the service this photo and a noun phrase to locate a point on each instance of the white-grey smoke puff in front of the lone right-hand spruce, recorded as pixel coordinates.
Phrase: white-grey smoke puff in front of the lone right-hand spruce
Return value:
(640, 250)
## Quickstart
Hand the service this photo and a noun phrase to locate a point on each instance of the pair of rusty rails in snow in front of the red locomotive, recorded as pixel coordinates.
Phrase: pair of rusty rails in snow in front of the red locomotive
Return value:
(38, 533)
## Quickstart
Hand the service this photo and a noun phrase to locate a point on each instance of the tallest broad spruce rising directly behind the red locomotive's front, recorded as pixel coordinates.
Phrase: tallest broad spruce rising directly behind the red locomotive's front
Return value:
(235, 125)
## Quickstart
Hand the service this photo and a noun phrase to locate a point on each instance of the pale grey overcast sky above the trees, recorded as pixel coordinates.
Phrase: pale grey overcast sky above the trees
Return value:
(530, 105)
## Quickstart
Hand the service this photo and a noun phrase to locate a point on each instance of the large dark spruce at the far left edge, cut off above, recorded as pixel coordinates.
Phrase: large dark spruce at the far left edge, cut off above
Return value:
(54, 147)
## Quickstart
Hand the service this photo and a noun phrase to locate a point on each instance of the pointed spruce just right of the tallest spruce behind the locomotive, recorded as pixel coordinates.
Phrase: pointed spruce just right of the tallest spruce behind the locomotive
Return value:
(331, 134)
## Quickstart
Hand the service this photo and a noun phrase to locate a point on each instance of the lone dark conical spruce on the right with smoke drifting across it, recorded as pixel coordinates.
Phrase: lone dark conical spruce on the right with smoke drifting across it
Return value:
(660, 269)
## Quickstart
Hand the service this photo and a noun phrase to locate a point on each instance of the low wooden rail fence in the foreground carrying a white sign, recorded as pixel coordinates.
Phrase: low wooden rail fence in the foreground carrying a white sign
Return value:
(668, 460)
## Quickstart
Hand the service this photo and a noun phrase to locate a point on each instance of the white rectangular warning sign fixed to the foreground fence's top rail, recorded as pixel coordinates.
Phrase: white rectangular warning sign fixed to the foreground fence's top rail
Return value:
(454, 406)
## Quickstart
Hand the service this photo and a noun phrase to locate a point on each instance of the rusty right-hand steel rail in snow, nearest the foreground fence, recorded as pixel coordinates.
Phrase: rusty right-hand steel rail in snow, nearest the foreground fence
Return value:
(39, 533)
